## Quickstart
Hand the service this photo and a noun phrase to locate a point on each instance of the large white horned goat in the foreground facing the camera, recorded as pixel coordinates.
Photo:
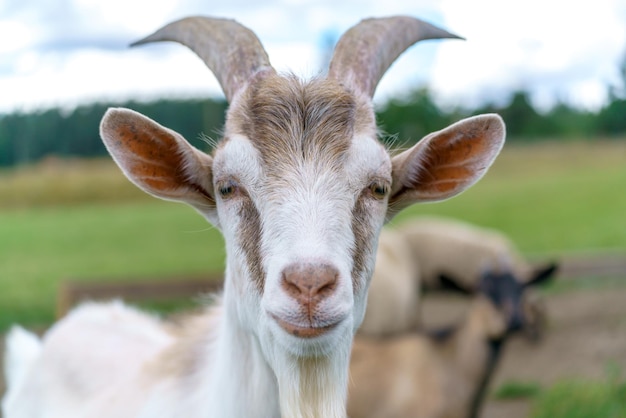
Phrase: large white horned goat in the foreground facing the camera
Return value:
(300, 187)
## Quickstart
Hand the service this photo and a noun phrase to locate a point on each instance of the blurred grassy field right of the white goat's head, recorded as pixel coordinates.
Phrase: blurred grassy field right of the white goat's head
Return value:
(549, 197)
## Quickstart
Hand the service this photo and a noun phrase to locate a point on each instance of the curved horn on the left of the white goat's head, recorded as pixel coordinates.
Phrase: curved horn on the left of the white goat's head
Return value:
(229, 49)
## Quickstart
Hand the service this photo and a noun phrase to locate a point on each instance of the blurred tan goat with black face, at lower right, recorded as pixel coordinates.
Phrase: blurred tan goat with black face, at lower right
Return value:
(445, 374)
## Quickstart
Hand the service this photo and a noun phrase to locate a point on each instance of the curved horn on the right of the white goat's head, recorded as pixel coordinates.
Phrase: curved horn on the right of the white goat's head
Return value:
(366, 50)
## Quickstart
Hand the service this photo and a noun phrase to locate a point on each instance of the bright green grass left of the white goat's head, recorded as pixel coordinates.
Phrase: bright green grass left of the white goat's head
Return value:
(40, 247)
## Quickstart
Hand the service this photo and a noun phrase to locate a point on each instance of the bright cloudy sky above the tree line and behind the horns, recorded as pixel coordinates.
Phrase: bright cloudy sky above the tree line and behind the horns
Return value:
(70, 52)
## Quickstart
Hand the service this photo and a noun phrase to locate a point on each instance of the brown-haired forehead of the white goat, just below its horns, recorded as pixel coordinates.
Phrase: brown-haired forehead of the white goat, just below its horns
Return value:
(292, 122)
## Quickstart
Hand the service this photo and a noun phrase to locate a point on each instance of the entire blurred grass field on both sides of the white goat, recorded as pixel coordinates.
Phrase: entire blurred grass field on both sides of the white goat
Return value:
(83, 220)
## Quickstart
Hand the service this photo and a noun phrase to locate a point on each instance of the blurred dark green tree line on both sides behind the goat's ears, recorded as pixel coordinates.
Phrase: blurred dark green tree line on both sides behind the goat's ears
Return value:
(29, 137)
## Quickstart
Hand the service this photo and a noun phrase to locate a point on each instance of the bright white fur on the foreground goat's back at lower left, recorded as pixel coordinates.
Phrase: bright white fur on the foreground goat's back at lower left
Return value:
(112, 338)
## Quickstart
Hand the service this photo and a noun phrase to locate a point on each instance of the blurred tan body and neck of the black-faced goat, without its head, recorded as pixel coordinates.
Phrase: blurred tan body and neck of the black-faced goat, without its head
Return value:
(419, 376)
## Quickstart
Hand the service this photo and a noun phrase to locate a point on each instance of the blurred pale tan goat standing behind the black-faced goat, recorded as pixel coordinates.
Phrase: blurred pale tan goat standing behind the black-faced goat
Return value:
(419, 253)
